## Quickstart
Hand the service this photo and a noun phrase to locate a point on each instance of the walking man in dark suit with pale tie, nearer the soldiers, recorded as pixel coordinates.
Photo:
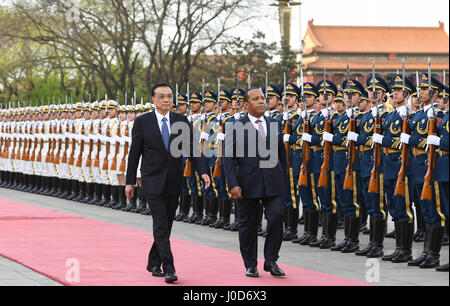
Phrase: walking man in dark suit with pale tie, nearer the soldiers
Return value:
(254, 183)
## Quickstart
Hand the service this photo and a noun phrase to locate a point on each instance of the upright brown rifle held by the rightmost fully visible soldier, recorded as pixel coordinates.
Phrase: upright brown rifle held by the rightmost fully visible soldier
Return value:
(427, 191)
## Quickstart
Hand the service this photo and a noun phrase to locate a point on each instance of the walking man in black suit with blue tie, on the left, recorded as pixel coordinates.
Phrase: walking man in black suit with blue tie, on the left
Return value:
(161, 174)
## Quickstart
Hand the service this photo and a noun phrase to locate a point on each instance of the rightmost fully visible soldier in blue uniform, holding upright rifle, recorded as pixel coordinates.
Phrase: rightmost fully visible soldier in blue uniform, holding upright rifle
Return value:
(430, 201)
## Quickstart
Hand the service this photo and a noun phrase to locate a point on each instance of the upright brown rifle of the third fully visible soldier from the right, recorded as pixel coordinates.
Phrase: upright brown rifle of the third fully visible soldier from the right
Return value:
(374, 183)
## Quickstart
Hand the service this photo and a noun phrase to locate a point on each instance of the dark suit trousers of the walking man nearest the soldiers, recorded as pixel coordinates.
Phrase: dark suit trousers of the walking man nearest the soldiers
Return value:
(248, 222)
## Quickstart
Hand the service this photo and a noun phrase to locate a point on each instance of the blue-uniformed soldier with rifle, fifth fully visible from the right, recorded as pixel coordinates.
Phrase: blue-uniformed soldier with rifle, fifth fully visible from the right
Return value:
(323, 164)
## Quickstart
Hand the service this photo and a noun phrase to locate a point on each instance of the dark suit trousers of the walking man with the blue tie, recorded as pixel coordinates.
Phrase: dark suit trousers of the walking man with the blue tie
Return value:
(163, 209)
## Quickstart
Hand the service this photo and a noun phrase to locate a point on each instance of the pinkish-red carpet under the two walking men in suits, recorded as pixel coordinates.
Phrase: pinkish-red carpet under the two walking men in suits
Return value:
(109, 254)
